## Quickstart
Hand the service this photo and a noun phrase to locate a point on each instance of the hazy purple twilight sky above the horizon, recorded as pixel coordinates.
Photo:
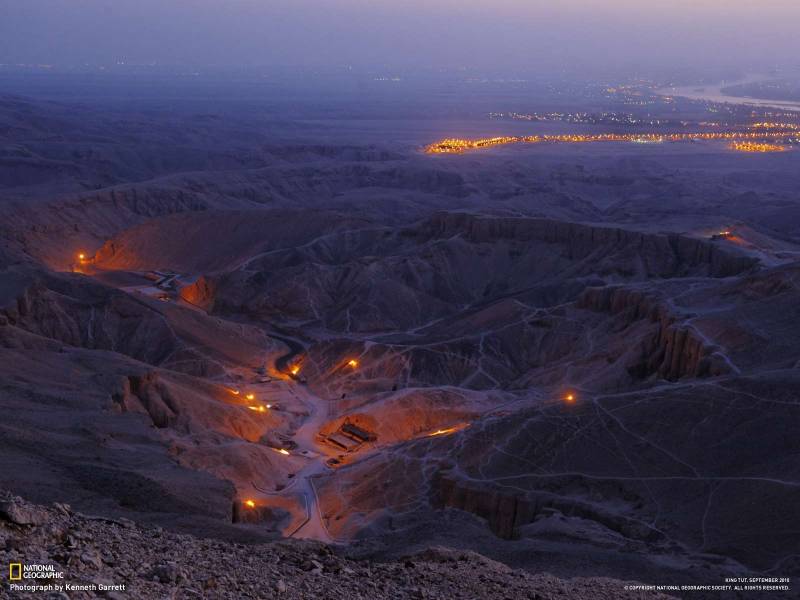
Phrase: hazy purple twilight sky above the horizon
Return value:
(478, 33)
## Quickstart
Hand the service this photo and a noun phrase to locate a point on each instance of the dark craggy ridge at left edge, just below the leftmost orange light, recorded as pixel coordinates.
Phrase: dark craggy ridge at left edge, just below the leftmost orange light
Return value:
(78, 311)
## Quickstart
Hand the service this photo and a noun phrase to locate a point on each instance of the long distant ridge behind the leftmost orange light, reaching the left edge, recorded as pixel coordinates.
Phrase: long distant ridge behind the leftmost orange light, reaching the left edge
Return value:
(87, 220)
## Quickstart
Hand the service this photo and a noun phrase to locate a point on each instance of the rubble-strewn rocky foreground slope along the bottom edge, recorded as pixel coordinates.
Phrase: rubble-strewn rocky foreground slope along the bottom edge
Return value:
(153, 563)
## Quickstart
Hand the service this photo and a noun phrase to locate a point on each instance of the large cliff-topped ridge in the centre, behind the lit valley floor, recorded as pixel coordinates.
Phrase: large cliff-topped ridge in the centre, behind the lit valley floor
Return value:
(395, 280)
